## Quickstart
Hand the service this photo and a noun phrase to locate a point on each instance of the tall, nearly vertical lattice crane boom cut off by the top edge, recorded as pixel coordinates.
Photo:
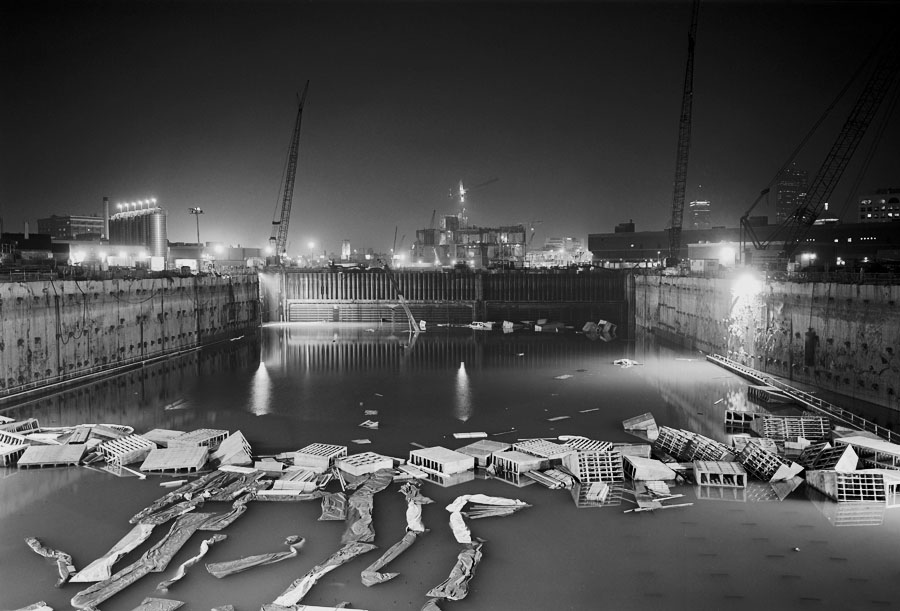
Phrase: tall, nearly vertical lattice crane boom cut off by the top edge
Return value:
(684, 143)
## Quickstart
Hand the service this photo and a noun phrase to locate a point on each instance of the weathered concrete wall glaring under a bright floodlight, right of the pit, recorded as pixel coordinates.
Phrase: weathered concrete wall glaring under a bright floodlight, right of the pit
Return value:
(840, 337)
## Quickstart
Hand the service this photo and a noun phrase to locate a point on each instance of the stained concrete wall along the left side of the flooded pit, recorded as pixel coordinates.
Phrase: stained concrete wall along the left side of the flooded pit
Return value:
(55, 331)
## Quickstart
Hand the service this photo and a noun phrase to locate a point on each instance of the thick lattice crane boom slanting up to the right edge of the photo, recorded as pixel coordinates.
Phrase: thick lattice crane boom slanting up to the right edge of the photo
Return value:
(795, 228)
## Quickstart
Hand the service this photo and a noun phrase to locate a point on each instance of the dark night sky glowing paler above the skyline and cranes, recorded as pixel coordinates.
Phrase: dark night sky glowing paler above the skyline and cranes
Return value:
(572, 107)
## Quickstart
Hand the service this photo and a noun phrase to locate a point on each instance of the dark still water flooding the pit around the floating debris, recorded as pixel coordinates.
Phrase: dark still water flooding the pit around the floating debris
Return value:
(296, 385)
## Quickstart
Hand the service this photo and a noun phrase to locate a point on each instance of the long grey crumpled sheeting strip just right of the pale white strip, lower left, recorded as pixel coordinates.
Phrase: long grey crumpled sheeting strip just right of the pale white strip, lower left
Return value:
(154, 560)
